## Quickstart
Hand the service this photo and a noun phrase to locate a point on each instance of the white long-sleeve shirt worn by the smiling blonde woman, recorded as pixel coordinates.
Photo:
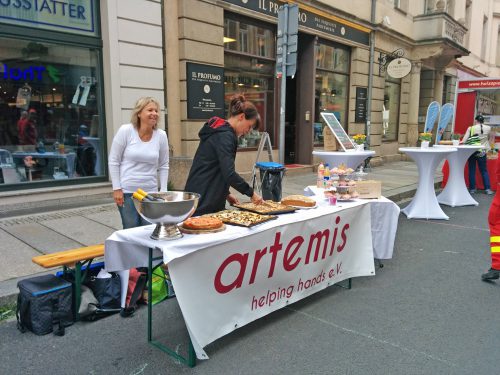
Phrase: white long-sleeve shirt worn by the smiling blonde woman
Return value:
(135, 164)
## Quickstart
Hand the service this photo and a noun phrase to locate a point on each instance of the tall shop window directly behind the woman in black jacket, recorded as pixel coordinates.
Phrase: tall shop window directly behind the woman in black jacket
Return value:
(249, 65)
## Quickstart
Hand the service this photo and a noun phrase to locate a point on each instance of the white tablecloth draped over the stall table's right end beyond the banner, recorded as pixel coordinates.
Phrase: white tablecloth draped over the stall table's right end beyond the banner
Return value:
(384, 220)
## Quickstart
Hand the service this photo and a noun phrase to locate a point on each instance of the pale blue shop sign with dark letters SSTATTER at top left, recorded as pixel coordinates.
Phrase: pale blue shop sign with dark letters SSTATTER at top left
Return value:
(71, 16)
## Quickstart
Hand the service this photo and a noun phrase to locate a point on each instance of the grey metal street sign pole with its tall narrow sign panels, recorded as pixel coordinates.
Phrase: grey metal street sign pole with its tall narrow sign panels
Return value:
(286, 60)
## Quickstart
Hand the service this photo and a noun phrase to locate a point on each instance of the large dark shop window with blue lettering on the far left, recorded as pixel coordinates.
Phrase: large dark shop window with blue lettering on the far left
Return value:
(50, 124)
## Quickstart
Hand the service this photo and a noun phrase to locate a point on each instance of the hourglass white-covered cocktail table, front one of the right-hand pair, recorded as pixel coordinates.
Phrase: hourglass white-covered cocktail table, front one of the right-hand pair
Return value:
(424, 204)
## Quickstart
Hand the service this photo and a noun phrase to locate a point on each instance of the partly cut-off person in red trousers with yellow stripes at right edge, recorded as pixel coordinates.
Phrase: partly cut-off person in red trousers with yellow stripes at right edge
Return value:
(494, 222)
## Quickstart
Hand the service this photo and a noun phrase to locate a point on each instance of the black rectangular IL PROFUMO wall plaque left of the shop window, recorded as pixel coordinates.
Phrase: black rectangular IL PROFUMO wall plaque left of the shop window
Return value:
(205, 91)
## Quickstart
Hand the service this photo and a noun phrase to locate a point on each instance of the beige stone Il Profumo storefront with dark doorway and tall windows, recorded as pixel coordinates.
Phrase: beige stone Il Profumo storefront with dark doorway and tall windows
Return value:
(240, 39)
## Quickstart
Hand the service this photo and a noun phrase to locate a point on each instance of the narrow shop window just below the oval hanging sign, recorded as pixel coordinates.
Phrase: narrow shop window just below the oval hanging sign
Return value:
(390, 109)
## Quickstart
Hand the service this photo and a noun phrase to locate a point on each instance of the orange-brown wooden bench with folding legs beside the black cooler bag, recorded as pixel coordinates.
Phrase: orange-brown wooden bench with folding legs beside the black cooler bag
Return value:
(74, 258)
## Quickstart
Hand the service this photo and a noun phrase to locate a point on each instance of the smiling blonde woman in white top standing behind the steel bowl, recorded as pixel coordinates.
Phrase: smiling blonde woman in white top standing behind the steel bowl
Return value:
(139, 158)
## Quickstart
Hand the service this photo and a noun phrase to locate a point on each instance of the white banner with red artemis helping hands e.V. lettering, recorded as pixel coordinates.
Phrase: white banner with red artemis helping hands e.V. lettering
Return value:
(223, 287)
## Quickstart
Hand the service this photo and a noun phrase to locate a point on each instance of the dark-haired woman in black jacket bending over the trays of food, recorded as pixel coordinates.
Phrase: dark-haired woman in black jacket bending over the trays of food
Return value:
(213, 170)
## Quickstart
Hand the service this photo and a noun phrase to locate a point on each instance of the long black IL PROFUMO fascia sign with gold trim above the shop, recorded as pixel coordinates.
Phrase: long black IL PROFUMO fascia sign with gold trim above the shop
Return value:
(311, 18)
